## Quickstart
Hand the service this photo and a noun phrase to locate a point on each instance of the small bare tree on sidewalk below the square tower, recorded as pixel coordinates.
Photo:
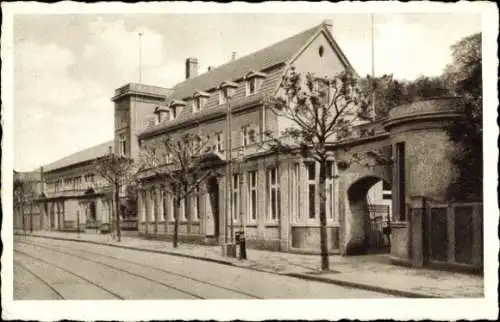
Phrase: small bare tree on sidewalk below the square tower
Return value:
(118, 171)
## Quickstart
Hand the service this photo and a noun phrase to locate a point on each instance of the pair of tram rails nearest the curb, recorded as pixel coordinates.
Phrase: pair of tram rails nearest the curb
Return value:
(164, 271)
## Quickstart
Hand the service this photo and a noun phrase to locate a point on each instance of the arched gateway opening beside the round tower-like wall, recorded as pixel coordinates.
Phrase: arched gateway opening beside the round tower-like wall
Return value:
(368, 216)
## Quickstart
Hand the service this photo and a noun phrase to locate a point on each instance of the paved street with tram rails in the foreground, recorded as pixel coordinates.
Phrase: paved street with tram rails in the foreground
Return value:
(53, 269)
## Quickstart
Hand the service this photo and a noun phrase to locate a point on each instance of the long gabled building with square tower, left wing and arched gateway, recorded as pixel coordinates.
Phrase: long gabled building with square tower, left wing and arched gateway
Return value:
(275, 196)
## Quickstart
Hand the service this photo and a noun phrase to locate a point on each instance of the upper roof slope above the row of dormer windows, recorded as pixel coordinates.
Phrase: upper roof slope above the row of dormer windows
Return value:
(260, 60)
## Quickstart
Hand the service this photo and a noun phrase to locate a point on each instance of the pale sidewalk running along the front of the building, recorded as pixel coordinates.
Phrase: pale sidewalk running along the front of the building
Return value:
(370, 272)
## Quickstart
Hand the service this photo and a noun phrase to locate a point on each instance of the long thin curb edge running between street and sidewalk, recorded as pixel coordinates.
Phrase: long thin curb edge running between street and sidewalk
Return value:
(367, 287)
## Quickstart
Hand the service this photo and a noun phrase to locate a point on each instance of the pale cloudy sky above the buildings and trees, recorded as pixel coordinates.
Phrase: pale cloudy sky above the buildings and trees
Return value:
(66, 67)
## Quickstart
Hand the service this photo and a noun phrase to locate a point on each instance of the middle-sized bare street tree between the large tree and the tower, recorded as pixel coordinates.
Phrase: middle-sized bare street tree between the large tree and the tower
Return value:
(179, 162)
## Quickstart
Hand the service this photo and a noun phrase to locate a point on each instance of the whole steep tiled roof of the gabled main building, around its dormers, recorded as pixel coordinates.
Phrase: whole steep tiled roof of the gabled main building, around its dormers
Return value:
(271, 59)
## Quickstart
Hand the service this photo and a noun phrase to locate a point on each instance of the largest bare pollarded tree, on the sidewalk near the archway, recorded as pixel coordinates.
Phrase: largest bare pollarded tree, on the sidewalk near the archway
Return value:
(319, 111)
